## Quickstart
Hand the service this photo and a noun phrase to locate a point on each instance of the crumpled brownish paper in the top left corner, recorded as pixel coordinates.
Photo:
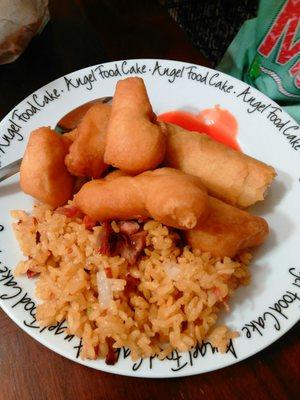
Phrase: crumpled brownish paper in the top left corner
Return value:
(20, 20)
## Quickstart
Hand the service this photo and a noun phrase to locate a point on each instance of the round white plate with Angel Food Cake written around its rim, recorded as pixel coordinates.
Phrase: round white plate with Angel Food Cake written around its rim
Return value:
(261, 312)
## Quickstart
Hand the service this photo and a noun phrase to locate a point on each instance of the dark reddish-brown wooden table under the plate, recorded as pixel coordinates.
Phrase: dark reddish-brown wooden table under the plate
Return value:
(83, 33)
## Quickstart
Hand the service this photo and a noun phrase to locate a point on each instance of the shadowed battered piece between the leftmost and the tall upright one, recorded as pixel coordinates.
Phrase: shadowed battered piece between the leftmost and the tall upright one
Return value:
(86, 153)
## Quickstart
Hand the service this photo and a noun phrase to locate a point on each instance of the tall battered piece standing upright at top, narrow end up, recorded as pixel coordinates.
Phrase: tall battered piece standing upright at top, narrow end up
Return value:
(135, 142)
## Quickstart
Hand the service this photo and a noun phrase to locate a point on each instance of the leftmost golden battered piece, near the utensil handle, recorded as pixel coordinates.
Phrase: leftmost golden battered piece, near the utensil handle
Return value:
(43, 173)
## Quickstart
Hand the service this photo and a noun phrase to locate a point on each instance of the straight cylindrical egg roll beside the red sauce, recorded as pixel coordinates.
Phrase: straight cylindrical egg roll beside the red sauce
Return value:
(229, 175)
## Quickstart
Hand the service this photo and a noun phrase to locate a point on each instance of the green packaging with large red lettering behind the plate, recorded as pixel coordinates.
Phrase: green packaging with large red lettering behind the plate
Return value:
(266, 53)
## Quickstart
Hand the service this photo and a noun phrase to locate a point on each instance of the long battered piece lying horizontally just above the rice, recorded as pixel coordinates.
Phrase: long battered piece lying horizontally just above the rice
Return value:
(169, 196)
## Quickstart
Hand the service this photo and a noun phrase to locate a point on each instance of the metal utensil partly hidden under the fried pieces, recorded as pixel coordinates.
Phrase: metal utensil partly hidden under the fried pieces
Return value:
(67, 123)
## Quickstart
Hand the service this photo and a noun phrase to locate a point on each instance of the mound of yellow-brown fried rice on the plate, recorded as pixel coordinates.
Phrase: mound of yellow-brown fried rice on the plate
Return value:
(169, 298)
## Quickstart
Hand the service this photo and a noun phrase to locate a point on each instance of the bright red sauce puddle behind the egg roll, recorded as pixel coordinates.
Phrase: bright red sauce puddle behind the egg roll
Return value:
(216, 122)
